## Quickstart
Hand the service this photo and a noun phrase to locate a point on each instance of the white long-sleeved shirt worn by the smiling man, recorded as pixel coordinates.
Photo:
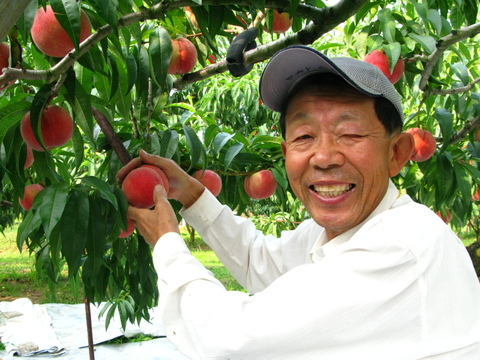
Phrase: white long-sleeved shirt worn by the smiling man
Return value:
(398, 286)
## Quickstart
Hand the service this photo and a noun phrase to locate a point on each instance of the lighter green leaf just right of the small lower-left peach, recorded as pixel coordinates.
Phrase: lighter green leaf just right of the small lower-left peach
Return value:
(53, 200)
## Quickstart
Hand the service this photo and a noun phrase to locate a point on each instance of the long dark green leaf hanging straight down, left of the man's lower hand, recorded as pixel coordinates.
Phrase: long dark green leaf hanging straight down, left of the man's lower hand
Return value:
(74, 228)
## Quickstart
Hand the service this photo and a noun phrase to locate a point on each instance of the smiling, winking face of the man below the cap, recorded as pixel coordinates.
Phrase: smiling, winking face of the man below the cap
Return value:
(337, 157)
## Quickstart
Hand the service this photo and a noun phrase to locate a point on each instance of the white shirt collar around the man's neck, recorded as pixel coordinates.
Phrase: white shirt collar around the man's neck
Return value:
(322, 246)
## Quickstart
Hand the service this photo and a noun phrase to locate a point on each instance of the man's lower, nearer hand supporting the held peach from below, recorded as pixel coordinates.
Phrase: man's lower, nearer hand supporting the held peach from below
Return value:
(156, 222)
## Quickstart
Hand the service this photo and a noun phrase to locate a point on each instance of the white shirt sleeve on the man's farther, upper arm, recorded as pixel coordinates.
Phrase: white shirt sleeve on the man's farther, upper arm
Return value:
(253, 258)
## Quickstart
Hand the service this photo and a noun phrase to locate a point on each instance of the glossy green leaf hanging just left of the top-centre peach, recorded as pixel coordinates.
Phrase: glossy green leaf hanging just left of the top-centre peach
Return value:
(160, 53)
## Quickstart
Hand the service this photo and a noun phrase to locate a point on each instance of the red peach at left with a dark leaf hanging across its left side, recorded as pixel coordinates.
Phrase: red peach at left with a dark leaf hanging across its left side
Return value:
(56, 128)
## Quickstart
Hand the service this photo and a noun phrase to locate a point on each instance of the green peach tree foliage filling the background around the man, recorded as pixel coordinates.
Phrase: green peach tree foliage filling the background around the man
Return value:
(116, 87)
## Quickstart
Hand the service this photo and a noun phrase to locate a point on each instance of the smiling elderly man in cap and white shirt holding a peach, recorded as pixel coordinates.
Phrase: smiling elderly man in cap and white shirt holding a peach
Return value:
(372, 274)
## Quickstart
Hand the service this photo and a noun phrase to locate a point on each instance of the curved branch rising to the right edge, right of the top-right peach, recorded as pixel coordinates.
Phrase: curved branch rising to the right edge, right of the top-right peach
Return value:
(442, 45)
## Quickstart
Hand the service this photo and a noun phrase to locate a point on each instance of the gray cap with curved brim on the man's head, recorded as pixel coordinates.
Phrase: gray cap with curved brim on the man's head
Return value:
(292, 64)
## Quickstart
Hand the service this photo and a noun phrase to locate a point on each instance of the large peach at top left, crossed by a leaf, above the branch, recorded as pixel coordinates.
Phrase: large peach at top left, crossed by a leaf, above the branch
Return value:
(49, 36)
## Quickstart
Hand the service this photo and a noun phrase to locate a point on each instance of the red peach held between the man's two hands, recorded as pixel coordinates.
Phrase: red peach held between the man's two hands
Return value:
(139, 186)
